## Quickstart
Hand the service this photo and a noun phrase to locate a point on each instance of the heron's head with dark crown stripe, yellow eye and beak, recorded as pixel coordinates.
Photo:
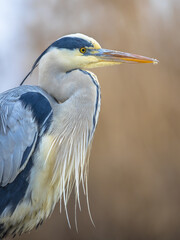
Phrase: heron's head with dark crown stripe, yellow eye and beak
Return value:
(80, 51)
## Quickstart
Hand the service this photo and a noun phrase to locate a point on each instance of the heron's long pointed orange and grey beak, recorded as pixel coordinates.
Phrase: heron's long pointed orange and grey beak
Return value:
(109, 57)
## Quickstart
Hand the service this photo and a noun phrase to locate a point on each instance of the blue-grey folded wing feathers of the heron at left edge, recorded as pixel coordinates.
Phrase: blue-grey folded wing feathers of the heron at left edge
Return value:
(18, 132)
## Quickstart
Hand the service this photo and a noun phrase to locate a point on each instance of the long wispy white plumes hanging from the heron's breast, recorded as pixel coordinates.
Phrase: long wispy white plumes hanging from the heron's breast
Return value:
(71, 150)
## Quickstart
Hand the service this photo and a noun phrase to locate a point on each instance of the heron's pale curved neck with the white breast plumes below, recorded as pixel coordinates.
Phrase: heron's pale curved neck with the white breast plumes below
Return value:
(73, 126)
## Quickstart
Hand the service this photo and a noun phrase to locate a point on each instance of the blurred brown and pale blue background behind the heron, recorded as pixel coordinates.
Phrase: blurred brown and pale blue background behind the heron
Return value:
(134, 180)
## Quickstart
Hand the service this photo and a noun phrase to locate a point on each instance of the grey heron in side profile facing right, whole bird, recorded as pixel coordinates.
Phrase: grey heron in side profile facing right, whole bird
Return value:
(46, 131)
